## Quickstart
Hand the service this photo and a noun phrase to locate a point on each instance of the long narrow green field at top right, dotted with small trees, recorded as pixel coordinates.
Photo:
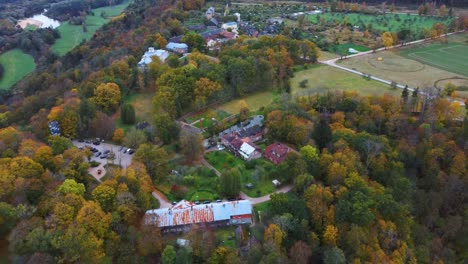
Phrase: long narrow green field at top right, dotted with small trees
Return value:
(387, 22)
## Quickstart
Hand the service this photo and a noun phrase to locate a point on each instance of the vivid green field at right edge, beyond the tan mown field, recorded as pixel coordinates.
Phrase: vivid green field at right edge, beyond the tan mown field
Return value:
(452, 57)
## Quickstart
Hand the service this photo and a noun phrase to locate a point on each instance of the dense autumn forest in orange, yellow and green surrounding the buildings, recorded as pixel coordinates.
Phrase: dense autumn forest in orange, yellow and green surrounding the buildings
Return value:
(377, 179)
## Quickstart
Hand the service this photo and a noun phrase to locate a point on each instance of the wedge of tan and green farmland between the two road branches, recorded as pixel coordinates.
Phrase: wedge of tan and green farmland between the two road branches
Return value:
(416, 66)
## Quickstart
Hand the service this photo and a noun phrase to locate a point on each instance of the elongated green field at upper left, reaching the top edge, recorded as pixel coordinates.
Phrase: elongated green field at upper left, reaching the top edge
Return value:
(72, 35)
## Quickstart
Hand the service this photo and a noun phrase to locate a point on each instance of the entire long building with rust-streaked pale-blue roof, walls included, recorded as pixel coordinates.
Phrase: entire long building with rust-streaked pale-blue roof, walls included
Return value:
(184, 214)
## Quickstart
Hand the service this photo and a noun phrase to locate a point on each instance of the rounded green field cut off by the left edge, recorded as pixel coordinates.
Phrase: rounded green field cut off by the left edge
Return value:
(17, 64)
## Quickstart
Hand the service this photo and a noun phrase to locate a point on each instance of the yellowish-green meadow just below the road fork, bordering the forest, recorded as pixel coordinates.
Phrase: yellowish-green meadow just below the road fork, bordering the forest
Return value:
(322, 78)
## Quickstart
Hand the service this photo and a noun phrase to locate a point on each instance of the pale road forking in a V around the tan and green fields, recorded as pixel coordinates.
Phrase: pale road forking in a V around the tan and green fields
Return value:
(332, 63)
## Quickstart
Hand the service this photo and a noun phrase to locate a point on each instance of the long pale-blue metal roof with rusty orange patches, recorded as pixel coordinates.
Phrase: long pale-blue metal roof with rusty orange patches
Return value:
(186, 212)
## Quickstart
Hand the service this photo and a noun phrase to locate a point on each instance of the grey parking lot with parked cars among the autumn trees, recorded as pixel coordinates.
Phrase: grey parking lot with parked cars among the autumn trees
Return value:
(122, 159)
